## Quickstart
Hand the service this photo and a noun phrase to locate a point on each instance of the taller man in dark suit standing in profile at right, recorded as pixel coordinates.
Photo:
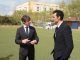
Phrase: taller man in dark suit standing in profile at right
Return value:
(63, 42)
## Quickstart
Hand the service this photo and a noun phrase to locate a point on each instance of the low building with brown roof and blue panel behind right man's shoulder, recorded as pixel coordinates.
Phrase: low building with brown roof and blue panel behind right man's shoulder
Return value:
(74, 22)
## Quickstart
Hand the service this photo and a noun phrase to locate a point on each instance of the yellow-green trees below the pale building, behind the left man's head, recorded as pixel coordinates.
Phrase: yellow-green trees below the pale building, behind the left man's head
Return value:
(35, 16)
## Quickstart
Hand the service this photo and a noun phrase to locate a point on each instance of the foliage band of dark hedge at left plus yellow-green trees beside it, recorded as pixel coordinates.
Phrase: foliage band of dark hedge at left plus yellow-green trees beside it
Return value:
(16, 17)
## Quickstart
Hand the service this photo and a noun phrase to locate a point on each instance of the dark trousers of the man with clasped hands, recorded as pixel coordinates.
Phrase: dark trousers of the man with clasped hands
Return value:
(25, 53)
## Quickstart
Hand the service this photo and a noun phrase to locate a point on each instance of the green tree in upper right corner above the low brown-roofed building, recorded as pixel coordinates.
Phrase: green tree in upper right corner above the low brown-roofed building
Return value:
(74, 9)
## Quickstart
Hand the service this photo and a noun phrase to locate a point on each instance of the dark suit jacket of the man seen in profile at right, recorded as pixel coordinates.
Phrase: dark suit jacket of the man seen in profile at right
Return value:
(63, 42)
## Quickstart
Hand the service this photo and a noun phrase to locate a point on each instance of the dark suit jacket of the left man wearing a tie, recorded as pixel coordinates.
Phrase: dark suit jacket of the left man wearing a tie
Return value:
(20, 35)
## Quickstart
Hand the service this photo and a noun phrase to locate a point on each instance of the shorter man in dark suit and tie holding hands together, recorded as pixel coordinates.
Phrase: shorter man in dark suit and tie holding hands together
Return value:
(26, 37)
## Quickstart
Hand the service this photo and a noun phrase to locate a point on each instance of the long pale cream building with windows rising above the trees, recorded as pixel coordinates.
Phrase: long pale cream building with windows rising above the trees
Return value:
(37, 6)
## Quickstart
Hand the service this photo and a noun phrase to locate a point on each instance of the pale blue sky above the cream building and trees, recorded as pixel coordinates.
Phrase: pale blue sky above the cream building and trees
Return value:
(7, 7)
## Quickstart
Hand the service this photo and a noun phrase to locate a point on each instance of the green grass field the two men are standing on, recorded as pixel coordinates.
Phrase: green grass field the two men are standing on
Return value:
(8, 48)
